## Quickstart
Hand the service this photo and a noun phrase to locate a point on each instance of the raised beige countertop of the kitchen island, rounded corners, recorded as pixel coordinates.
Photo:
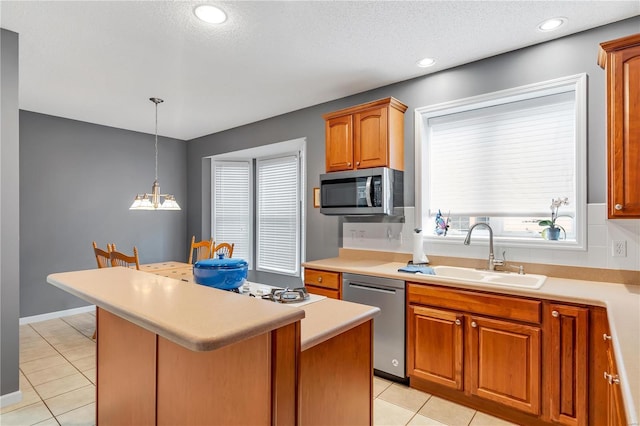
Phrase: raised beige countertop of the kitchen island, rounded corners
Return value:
(197, 317)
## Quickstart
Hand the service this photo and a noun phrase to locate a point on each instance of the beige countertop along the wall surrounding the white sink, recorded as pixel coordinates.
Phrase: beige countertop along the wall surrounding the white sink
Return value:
(621, 300)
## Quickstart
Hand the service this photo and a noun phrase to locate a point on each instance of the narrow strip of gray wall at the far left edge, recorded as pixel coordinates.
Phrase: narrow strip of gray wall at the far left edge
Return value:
(9, 214)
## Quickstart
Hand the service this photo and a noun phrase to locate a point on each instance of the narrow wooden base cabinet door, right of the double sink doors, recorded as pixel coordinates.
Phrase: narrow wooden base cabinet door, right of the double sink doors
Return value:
(568, 352)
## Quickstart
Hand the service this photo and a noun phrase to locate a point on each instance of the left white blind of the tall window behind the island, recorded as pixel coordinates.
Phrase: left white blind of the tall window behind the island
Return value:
(232, 206)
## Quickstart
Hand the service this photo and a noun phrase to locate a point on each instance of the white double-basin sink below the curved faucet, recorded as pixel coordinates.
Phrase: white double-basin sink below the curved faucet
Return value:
(496, 278)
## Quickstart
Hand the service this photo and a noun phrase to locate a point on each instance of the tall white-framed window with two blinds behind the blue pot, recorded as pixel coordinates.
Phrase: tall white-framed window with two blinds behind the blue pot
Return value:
(256, 203)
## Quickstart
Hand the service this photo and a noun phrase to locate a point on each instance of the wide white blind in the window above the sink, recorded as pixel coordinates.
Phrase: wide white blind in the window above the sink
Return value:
(508, 159)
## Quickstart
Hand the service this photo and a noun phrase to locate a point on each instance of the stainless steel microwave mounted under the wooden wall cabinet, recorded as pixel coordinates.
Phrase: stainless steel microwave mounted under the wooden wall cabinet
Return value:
(376, 191)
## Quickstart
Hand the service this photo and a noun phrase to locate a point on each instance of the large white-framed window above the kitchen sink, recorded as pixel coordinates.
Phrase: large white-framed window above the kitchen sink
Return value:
(502, 157)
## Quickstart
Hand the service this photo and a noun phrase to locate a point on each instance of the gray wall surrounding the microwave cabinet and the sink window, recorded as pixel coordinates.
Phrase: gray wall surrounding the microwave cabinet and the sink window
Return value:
(566, 56)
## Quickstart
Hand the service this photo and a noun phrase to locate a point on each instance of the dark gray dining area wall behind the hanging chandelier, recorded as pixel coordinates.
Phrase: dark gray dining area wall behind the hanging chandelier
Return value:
(77, 181)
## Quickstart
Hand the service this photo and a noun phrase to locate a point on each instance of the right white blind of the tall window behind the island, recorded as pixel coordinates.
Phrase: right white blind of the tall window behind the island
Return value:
(278, 215)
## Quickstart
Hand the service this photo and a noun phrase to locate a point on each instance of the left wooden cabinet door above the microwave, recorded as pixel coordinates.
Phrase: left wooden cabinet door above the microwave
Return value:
(339, 143)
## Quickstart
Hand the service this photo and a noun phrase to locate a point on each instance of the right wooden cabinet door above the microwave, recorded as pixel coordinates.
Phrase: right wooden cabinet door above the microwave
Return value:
(371, 138)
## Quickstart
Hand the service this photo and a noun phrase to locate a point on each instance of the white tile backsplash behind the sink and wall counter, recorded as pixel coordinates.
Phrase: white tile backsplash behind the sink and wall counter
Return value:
(602, 234)
